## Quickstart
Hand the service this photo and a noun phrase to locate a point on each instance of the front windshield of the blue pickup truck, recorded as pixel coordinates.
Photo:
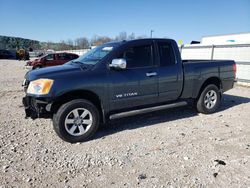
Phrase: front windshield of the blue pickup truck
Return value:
(93, 56)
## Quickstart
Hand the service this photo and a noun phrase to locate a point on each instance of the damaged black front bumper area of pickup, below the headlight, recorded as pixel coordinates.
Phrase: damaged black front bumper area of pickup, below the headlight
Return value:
(36, 108)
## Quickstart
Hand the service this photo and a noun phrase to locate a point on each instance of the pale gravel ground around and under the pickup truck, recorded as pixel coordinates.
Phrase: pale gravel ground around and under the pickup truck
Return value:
(173, 148)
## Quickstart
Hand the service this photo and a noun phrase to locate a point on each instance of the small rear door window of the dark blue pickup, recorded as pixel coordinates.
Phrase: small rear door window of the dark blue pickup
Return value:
(166, 54)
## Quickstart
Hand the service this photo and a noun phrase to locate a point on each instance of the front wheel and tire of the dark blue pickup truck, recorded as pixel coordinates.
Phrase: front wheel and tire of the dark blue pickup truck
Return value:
(76, 121)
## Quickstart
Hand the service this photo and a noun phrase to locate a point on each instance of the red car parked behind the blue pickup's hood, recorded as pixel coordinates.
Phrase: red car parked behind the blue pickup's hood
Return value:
(52, 59)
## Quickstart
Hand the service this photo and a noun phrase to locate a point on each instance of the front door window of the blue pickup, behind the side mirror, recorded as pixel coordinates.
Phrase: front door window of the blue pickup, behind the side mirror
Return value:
(138, 56)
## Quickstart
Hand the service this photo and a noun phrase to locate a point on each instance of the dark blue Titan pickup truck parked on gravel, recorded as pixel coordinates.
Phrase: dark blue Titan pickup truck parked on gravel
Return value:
(121, 79)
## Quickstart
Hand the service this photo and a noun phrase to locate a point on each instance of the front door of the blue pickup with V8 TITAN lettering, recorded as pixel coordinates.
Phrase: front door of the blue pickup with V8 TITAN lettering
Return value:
(137, 84)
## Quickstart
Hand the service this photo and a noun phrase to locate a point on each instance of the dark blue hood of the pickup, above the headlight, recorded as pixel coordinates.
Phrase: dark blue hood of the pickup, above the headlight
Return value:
(50, 72)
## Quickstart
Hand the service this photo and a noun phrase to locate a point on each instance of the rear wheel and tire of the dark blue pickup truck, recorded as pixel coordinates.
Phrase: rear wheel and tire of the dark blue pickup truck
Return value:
(209, 100)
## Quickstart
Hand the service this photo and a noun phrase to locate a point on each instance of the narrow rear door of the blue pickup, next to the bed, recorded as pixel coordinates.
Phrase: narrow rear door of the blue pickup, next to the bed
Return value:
(169, 71)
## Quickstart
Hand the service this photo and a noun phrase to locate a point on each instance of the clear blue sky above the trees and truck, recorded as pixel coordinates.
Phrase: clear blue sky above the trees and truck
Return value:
(186, 20)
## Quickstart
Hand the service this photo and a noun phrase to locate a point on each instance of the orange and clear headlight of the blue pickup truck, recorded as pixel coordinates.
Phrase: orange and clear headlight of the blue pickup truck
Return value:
(40, 86)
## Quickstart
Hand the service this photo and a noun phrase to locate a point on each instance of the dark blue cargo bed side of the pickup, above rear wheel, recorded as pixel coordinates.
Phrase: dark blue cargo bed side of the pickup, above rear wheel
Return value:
(198, 71)
